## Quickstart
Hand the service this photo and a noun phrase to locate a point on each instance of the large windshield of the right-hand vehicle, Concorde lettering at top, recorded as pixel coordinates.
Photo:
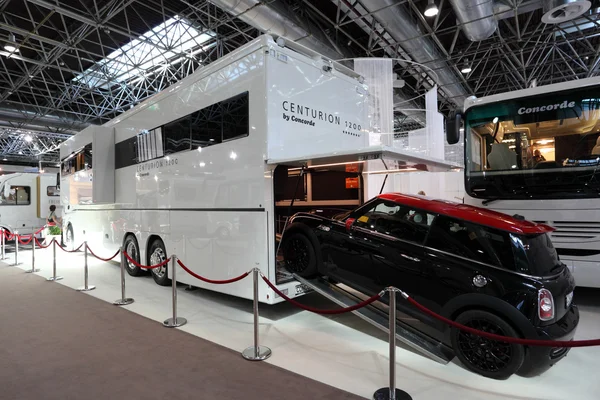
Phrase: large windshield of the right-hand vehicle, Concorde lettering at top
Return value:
(544, 146)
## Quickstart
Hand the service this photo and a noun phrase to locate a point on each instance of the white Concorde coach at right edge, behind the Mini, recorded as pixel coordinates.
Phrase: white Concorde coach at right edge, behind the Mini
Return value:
(536, 153)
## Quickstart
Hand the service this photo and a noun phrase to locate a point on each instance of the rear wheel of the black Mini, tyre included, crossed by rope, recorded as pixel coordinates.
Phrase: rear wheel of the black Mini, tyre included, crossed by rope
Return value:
(486, 357)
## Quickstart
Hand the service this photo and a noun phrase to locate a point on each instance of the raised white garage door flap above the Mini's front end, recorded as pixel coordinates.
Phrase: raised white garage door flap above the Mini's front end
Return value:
(393, 160)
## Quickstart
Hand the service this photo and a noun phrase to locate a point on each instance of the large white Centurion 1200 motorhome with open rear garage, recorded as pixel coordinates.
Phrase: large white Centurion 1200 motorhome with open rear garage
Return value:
(203, 169)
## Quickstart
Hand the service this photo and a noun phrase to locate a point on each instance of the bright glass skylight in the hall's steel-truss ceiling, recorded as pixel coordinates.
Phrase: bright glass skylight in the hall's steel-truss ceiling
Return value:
(143, 56)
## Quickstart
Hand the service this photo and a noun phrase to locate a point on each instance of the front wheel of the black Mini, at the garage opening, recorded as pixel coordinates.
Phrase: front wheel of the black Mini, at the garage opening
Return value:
(299, 254)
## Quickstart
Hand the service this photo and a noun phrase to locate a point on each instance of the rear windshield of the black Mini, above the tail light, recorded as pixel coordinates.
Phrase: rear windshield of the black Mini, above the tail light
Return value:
(536, 253)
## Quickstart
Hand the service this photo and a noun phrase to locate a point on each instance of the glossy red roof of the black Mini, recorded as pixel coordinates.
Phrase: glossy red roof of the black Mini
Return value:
(468, 213)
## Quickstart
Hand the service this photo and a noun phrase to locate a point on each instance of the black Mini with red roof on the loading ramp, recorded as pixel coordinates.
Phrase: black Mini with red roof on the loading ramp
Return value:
(484, 269)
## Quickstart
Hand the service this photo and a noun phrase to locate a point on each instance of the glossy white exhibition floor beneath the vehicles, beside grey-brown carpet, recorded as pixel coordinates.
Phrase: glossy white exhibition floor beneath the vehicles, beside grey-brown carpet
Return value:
(343, 351)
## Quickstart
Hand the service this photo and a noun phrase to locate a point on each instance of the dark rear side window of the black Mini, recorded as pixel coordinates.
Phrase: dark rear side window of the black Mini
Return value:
(472, 241)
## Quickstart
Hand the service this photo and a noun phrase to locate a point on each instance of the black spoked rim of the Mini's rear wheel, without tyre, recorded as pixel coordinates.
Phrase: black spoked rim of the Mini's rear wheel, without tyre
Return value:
(484, 354)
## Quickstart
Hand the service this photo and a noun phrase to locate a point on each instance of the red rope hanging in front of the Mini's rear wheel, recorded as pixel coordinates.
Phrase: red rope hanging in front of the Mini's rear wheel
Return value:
(506, 339)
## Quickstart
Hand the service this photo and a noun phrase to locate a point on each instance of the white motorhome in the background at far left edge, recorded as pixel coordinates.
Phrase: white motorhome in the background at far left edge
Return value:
(25, 199)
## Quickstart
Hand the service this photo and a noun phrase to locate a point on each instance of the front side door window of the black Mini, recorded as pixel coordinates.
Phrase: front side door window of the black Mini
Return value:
(396, 220)
